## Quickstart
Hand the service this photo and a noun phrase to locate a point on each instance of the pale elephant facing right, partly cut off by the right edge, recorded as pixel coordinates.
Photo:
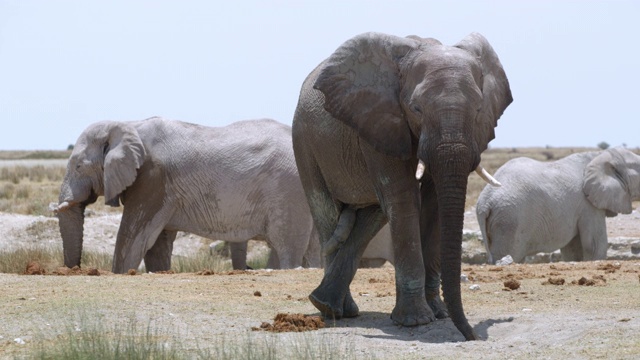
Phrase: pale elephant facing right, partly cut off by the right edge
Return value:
(545, 206)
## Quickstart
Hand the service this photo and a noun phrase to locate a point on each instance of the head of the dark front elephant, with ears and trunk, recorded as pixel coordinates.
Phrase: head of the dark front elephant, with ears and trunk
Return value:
(418, 100)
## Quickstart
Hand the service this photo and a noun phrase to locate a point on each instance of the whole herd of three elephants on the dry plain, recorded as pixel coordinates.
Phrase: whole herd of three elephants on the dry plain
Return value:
(384, 136)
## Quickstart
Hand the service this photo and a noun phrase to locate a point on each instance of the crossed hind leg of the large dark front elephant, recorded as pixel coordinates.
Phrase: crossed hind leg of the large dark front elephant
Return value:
(333, 297)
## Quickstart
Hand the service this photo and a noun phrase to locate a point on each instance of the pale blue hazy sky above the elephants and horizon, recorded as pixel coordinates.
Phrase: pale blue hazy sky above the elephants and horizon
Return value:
(573, 66)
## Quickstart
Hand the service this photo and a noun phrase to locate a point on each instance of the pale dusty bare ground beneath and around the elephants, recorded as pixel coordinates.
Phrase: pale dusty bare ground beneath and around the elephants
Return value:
(559, 310)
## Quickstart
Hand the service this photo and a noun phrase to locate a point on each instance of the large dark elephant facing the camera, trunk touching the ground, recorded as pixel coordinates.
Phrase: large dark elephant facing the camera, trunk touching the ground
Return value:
(387, 130)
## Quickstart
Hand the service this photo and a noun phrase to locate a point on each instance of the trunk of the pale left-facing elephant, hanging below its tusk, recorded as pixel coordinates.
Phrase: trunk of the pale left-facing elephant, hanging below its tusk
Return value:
(71, 222)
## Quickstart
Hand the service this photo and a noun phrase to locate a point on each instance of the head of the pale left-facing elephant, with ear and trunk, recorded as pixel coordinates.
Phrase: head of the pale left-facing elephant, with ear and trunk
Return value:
(104, 162)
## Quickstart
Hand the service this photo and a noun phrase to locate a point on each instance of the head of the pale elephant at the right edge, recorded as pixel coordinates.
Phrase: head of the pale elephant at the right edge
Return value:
(612, 181)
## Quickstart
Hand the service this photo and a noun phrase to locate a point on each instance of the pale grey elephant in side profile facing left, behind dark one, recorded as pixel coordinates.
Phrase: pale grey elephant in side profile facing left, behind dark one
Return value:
(230, 183)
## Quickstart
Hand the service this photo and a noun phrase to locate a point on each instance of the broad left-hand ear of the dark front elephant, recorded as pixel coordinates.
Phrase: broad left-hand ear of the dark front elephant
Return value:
(361, 84)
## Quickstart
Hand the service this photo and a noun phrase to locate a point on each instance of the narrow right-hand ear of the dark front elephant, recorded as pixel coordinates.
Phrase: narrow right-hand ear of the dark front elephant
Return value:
(496, 92)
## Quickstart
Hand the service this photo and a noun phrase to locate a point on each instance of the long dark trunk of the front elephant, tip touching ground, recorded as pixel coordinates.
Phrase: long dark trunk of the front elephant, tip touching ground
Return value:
(452, 167)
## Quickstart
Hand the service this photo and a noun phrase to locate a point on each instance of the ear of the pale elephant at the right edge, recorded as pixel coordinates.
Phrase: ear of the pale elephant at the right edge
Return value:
(606, 183)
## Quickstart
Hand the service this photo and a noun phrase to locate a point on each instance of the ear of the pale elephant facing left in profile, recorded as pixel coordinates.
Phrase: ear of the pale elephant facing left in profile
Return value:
(124, 156)
